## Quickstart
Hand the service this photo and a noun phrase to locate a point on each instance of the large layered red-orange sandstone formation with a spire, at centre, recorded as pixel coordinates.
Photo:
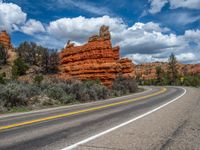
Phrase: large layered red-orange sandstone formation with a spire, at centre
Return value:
(96, 59)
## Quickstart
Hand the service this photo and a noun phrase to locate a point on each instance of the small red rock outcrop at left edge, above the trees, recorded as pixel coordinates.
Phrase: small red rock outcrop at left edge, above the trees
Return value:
(5, 39)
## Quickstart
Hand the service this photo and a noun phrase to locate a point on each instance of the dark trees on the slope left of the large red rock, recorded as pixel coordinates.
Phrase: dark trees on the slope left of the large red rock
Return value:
(31, 54)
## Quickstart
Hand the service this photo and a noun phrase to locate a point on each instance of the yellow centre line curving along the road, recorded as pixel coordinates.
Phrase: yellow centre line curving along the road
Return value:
(81, 111)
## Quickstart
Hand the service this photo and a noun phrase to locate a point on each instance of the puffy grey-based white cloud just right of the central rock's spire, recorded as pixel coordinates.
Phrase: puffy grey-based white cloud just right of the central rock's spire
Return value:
(146, 39)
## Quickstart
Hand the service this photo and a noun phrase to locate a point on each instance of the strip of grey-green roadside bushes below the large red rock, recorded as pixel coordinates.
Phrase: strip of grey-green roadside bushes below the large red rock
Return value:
(19, 96)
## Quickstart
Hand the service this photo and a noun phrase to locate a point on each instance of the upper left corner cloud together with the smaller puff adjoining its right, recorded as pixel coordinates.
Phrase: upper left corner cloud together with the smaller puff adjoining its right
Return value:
(12, 18)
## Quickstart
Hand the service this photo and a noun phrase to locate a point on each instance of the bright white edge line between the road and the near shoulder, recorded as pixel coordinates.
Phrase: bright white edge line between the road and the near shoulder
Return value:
(123, 124)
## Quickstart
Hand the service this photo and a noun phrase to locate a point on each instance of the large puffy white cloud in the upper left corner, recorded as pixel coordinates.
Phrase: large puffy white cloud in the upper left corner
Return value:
(11, 17)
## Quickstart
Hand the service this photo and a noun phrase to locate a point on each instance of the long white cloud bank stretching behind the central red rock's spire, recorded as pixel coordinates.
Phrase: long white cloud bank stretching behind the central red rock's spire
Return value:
(143, 38)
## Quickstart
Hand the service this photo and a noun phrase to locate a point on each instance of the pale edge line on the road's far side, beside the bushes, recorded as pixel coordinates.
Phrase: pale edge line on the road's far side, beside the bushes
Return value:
(2, 116)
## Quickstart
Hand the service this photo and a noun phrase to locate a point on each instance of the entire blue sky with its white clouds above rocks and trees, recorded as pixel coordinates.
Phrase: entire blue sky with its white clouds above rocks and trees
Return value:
(146, 30)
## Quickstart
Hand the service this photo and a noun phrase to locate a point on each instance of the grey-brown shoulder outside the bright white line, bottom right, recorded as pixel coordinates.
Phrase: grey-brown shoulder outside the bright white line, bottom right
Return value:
(176, 126)
